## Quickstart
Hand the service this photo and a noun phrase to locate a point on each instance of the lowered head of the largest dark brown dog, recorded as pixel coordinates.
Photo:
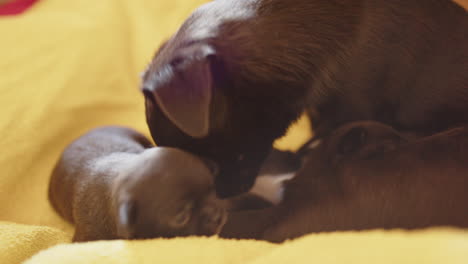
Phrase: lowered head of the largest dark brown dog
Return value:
(215, 89)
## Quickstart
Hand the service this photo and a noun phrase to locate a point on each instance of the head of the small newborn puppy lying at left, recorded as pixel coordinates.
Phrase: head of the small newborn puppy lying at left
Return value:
(166, 193)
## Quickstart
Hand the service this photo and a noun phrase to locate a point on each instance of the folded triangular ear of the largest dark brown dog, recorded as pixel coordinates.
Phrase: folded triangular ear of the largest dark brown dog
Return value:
(183, 90)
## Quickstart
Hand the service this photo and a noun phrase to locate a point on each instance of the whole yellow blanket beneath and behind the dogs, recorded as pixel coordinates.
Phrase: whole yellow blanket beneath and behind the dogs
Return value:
(69, 66)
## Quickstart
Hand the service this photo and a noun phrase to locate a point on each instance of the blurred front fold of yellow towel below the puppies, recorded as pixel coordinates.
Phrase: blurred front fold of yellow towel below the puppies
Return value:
(432, 247)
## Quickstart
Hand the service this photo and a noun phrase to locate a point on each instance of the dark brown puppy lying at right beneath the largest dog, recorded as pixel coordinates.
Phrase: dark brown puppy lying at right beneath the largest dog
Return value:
(364, 176)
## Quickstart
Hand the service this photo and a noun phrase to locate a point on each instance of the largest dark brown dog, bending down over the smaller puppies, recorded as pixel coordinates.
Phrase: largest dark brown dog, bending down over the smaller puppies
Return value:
(237, 73)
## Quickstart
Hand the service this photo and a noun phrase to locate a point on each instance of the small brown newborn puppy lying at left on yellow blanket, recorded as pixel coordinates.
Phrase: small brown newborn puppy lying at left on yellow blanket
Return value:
(111, 184)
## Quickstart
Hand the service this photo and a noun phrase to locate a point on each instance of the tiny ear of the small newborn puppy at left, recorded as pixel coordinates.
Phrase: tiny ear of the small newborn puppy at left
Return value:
(127, 217)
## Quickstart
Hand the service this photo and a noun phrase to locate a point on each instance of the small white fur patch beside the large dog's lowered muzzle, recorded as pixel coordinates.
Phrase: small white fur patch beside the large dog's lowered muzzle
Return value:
(271, 187)
